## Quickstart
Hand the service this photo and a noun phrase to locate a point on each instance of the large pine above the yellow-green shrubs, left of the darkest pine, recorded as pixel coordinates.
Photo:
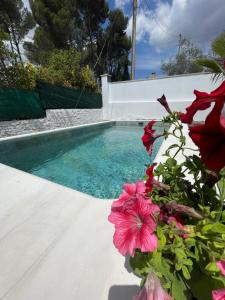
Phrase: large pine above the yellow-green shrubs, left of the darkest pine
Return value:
(63, 24)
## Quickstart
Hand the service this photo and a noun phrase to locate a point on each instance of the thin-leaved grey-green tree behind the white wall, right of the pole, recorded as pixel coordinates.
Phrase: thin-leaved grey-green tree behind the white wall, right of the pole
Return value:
(185, 60)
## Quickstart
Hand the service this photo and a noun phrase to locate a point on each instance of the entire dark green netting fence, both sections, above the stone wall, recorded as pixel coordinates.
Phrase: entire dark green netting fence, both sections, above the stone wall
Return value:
(18, 104)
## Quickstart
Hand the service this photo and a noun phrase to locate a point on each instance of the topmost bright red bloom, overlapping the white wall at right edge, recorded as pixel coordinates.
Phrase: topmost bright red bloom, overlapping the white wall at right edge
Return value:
(202, 102)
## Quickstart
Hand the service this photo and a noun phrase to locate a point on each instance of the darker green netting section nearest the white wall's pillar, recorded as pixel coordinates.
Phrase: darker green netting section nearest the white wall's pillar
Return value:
(56, 97)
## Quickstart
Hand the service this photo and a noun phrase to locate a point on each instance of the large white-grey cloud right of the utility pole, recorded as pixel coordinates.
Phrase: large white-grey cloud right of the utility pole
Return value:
(199, 20)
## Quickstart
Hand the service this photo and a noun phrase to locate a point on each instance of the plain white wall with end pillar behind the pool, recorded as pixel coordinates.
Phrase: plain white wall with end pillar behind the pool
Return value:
(132, 100)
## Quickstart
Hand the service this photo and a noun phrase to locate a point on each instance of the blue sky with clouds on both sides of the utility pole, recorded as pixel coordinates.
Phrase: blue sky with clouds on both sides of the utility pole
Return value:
(160, 22)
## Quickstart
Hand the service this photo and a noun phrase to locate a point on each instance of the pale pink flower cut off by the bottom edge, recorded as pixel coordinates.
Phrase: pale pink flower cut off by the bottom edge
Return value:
(152, 290)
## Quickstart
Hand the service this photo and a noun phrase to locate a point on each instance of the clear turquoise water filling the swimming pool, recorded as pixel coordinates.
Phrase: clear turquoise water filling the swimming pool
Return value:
(94, 161)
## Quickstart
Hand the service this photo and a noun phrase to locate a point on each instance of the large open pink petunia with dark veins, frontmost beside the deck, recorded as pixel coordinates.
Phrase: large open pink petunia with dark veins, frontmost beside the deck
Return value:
(134, 226)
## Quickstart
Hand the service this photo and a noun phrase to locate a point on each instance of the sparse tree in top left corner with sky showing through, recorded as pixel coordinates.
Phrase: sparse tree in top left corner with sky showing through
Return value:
(16, 21)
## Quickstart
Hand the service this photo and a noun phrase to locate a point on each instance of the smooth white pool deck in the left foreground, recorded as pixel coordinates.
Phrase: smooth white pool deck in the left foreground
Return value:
(56, 243)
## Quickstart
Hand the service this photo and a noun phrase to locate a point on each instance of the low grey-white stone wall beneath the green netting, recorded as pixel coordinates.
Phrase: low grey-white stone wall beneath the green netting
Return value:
(58, 118)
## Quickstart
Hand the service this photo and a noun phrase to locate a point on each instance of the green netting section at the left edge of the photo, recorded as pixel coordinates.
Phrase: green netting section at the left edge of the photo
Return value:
(20, 104)
